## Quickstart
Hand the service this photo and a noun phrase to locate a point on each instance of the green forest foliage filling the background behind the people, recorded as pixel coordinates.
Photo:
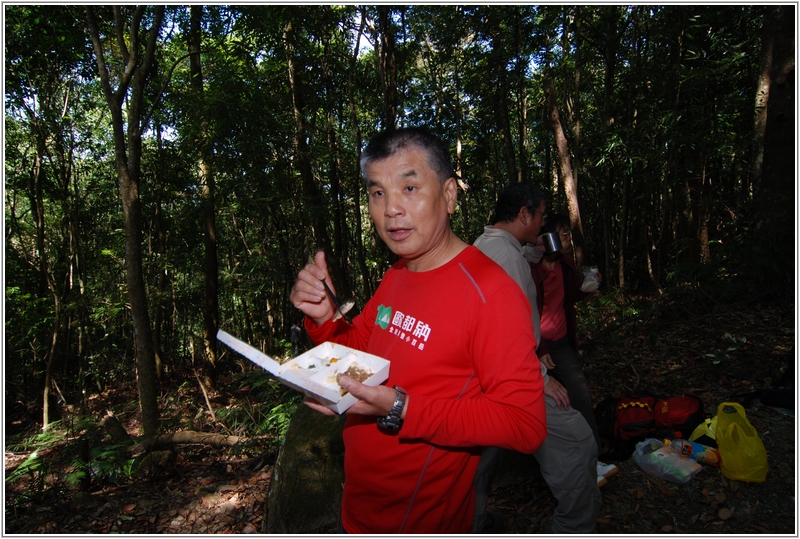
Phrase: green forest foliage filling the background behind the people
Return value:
(656, 103)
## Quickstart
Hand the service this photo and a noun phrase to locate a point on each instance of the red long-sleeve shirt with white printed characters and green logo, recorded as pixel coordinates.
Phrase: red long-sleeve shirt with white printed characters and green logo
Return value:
(460, 342)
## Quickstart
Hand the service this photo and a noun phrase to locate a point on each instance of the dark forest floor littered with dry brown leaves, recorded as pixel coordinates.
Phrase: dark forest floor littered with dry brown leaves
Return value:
(717, 352)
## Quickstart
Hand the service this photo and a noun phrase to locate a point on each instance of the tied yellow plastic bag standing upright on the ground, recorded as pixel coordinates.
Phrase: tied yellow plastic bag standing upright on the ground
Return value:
(744, 456)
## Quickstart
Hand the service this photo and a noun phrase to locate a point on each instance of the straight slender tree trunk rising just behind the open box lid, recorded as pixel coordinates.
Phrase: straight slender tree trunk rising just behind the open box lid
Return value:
(207, 189)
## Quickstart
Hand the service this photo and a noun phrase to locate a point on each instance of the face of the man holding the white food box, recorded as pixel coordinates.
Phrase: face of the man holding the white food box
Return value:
(409, 207)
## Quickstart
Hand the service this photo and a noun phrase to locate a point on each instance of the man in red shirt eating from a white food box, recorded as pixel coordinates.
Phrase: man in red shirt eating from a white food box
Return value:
(455, 327)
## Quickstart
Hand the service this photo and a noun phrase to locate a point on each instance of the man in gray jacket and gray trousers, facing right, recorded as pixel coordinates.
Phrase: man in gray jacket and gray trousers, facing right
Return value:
(568, 456)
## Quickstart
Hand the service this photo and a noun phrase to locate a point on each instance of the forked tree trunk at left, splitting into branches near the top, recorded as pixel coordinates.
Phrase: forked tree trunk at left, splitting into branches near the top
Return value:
(138, 68)
